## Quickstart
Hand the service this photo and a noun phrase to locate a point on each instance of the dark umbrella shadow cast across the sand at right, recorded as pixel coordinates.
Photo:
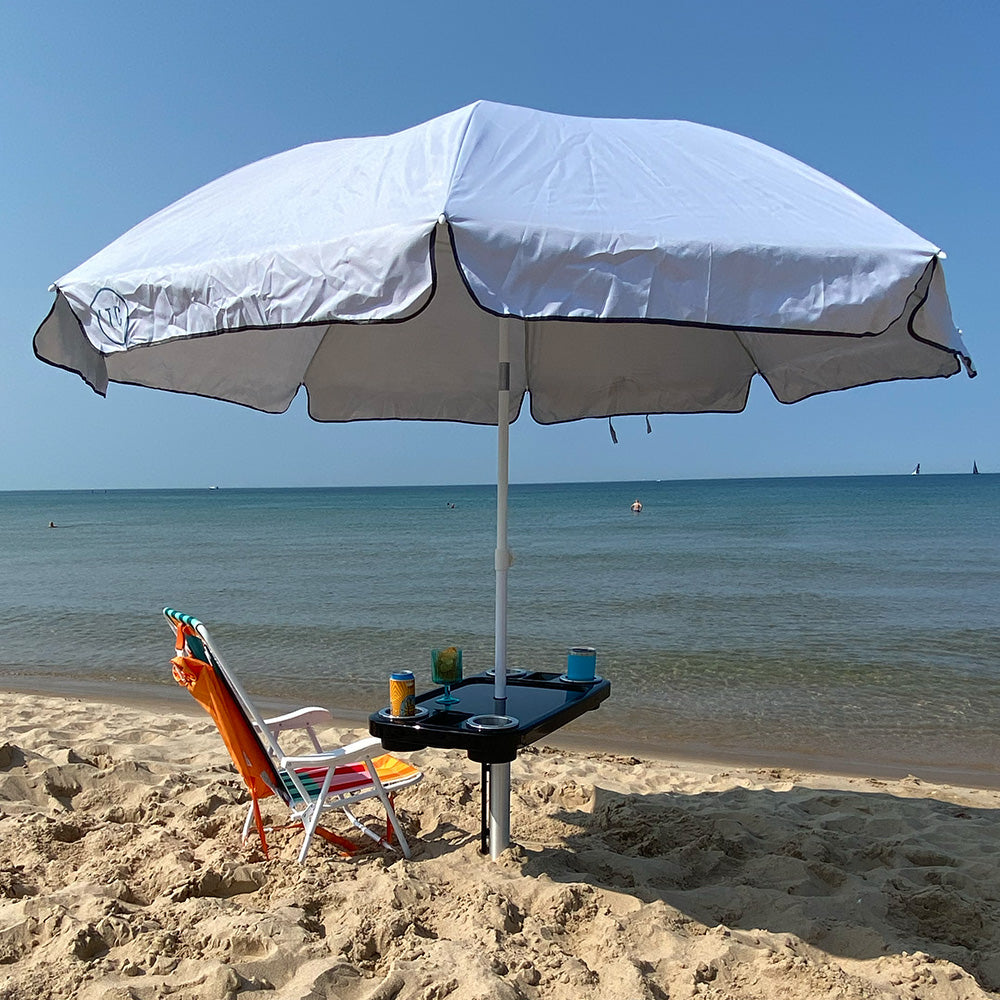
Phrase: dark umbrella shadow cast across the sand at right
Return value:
(853, 874)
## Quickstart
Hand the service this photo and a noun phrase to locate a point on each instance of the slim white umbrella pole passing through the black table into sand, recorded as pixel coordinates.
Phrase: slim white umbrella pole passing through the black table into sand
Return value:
(499, 807)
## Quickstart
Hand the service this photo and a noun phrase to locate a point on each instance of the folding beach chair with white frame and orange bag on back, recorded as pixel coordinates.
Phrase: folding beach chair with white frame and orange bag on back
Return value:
(308, 784)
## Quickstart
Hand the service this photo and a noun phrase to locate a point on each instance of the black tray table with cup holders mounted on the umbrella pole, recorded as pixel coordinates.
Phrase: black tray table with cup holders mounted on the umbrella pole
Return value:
(540, 703)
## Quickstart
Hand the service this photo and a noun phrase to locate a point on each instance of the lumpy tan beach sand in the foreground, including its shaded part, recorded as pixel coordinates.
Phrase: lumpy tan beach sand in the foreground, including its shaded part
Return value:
(122, 876)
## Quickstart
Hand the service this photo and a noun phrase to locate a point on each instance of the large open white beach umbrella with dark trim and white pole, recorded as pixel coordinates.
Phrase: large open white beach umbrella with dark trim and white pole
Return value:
(600, 267)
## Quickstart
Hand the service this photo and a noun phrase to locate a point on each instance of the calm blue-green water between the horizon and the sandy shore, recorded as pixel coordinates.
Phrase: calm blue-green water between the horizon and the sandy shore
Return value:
(839, 622)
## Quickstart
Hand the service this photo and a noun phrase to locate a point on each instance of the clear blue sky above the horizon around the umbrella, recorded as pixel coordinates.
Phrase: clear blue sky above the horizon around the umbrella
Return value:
(110, 111)
